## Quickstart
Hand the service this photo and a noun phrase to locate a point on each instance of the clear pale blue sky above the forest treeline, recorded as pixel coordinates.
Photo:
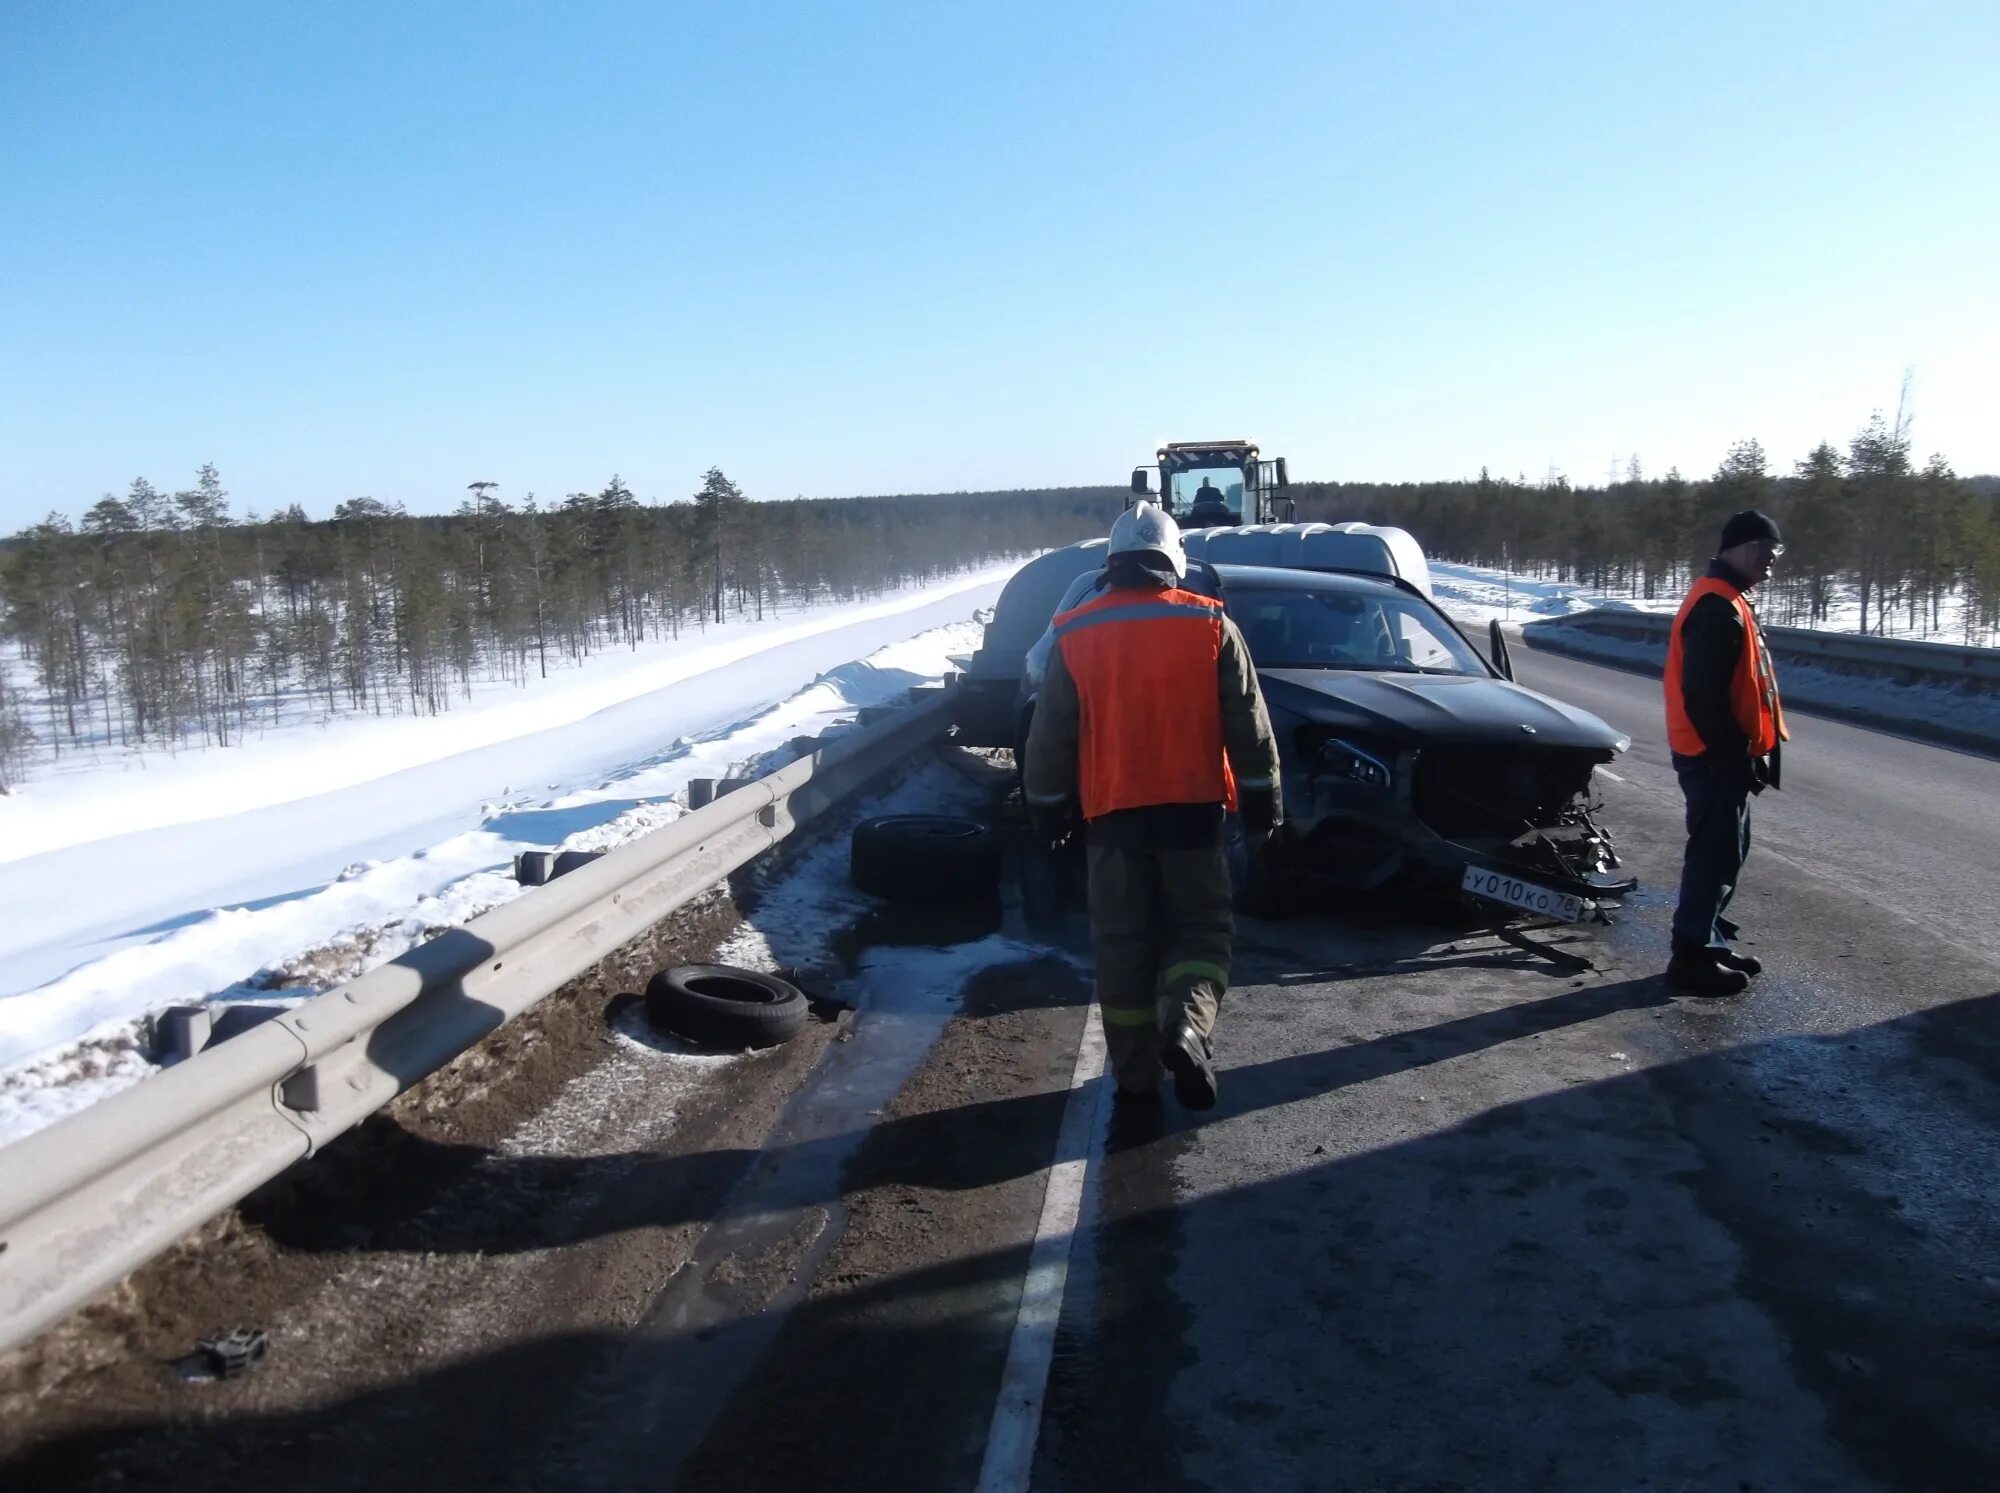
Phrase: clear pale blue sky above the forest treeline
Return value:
(389, 249)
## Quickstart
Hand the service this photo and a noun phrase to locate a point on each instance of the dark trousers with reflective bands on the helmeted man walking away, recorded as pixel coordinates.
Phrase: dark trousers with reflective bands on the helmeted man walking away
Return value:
(1161, 930)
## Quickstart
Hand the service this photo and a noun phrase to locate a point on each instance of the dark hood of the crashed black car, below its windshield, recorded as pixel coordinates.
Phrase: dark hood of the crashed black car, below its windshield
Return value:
(1435, 709)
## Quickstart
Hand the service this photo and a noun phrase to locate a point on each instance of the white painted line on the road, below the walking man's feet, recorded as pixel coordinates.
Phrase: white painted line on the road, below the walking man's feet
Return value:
(1025, 1382)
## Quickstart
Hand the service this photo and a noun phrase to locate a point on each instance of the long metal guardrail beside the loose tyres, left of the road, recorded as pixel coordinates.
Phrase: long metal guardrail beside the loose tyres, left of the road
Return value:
(99, 1194)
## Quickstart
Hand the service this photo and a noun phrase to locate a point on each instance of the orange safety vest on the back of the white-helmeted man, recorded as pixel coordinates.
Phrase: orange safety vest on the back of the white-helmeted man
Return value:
(1149, 699)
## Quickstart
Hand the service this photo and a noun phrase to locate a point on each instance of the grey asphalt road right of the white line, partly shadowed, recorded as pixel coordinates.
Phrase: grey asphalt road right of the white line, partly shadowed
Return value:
(1463, 1224)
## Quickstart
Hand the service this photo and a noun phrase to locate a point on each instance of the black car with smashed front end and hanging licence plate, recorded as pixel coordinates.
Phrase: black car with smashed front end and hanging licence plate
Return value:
(1413, 762)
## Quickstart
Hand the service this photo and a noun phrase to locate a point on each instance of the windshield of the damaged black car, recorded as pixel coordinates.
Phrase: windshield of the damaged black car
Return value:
(1341, 629)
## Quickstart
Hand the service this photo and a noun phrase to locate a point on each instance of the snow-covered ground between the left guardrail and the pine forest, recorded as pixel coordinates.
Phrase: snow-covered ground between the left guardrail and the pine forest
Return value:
(341, 856)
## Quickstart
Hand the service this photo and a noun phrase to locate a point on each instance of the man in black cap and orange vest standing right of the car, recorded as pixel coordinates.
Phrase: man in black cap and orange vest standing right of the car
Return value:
(1727, 731)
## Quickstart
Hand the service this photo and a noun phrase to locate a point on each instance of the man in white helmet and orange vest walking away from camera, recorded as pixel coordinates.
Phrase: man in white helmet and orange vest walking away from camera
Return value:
(1149, 729)
